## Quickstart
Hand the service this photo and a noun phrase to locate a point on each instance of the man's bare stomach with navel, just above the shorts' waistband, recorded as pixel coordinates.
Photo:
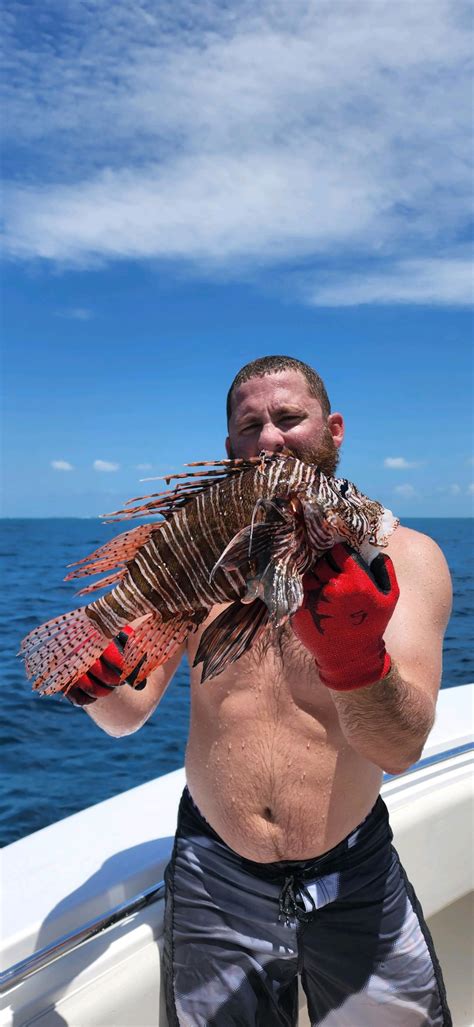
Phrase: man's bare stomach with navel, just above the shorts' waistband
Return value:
(287, 790)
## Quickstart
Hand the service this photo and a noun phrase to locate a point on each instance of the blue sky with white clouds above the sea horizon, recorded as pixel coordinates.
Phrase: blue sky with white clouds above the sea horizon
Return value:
(191, 185)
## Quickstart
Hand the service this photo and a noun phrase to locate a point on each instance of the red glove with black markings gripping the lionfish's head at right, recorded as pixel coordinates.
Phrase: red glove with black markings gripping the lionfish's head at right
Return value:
(345, 613)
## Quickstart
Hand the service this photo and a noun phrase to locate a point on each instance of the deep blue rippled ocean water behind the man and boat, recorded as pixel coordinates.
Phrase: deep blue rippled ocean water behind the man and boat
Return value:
(56, 760)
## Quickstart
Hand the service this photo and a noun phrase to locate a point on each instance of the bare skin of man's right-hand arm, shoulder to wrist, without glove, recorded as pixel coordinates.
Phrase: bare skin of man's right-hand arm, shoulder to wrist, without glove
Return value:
(388, 722)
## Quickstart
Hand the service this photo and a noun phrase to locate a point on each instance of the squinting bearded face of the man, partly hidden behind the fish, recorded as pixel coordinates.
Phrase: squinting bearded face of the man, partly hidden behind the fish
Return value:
(279, 412)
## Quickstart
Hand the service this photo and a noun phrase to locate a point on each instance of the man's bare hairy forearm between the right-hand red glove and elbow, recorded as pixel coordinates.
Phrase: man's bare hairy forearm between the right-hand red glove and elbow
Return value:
(388, 722)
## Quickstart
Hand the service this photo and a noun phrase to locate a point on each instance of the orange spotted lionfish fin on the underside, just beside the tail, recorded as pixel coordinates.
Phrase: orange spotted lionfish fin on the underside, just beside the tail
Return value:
(156, 641)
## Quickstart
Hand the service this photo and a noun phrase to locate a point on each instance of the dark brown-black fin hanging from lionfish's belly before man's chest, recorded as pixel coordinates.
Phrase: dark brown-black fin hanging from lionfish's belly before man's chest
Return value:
(230, 636)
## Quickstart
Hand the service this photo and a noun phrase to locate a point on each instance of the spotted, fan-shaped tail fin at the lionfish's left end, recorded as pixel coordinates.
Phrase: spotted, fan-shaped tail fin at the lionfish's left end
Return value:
(58, 654)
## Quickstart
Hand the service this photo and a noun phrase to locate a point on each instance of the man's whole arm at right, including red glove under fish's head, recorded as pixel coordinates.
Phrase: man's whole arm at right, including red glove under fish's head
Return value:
(383, 684)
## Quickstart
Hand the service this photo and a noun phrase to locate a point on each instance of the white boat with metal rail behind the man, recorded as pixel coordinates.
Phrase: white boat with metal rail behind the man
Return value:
(83, 917)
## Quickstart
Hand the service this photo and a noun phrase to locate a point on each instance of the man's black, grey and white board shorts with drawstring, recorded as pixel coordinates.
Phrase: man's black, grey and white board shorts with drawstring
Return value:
(240, 934)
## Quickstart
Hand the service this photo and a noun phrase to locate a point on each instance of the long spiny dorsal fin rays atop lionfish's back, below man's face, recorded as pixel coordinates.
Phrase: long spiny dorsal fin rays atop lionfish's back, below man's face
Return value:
(167, 504)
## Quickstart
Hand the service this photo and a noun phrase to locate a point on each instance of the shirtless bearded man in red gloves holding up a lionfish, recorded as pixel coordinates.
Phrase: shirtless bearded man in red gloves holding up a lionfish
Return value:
(283, 861)
